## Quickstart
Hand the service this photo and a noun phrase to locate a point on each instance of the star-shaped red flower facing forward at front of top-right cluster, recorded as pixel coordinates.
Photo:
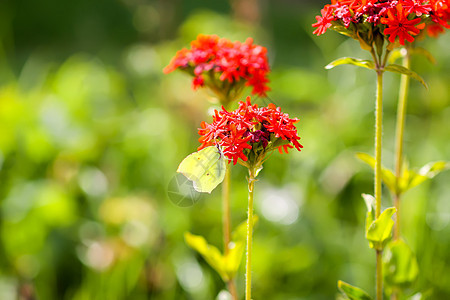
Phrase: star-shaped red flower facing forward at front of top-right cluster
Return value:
(398, 25)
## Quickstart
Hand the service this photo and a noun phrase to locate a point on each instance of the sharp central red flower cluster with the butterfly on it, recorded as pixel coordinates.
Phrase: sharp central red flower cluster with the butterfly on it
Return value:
(250, 129)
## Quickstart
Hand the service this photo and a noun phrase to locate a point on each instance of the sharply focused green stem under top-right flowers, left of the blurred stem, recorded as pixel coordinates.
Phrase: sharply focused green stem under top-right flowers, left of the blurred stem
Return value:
(378, 136)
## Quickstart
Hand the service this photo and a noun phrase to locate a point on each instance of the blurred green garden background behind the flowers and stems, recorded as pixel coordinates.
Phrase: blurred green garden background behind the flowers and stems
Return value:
(91, 134)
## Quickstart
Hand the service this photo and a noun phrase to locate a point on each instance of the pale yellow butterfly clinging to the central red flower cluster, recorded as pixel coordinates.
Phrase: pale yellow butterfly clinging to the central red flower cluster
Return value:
(205, 168)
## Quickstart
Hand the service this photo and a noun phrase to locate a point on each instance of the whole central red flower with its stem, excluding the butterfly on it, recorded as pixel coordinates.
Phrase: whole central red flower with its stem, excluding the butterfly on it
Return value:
(248, 135)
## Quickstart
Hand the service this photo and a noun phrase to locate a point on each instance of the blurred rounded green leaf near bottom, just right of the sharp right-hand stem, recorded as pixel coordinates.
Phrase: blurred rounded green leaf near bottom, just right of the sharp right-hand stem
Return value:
(400, 265)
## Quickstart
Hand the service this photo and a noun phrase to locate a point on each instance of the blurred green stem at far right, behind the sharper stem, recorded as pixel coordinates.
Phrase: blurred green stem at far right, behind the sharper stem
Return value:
(400, 129)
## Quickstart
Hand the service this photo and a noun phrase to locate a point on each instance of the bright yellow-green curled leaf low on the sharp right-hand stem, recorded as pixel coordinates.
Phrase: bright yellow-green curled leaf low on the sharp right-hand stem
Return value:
(380, 230)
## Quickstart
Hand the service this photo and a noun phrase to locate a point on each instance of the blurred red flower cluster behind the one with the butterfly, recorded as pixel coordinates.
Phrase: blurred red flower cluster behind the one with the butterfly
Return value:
(232, 61)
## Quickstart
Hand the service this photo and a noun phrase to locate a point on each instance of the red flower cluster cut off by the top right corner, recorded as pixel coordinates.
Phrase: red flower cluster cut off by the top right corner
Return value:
(394, 18)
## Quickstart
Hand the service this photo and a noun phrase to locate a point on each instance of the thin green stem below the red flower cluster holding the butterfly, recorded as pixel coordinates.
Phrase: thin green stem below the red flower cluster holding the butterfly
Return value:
(248, 269)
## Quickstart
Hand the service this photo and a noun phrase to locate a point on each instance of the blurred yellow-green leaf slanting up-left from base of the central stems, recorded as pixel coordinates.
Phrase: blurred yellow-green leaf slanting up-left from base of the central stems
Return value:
(210, 253)
